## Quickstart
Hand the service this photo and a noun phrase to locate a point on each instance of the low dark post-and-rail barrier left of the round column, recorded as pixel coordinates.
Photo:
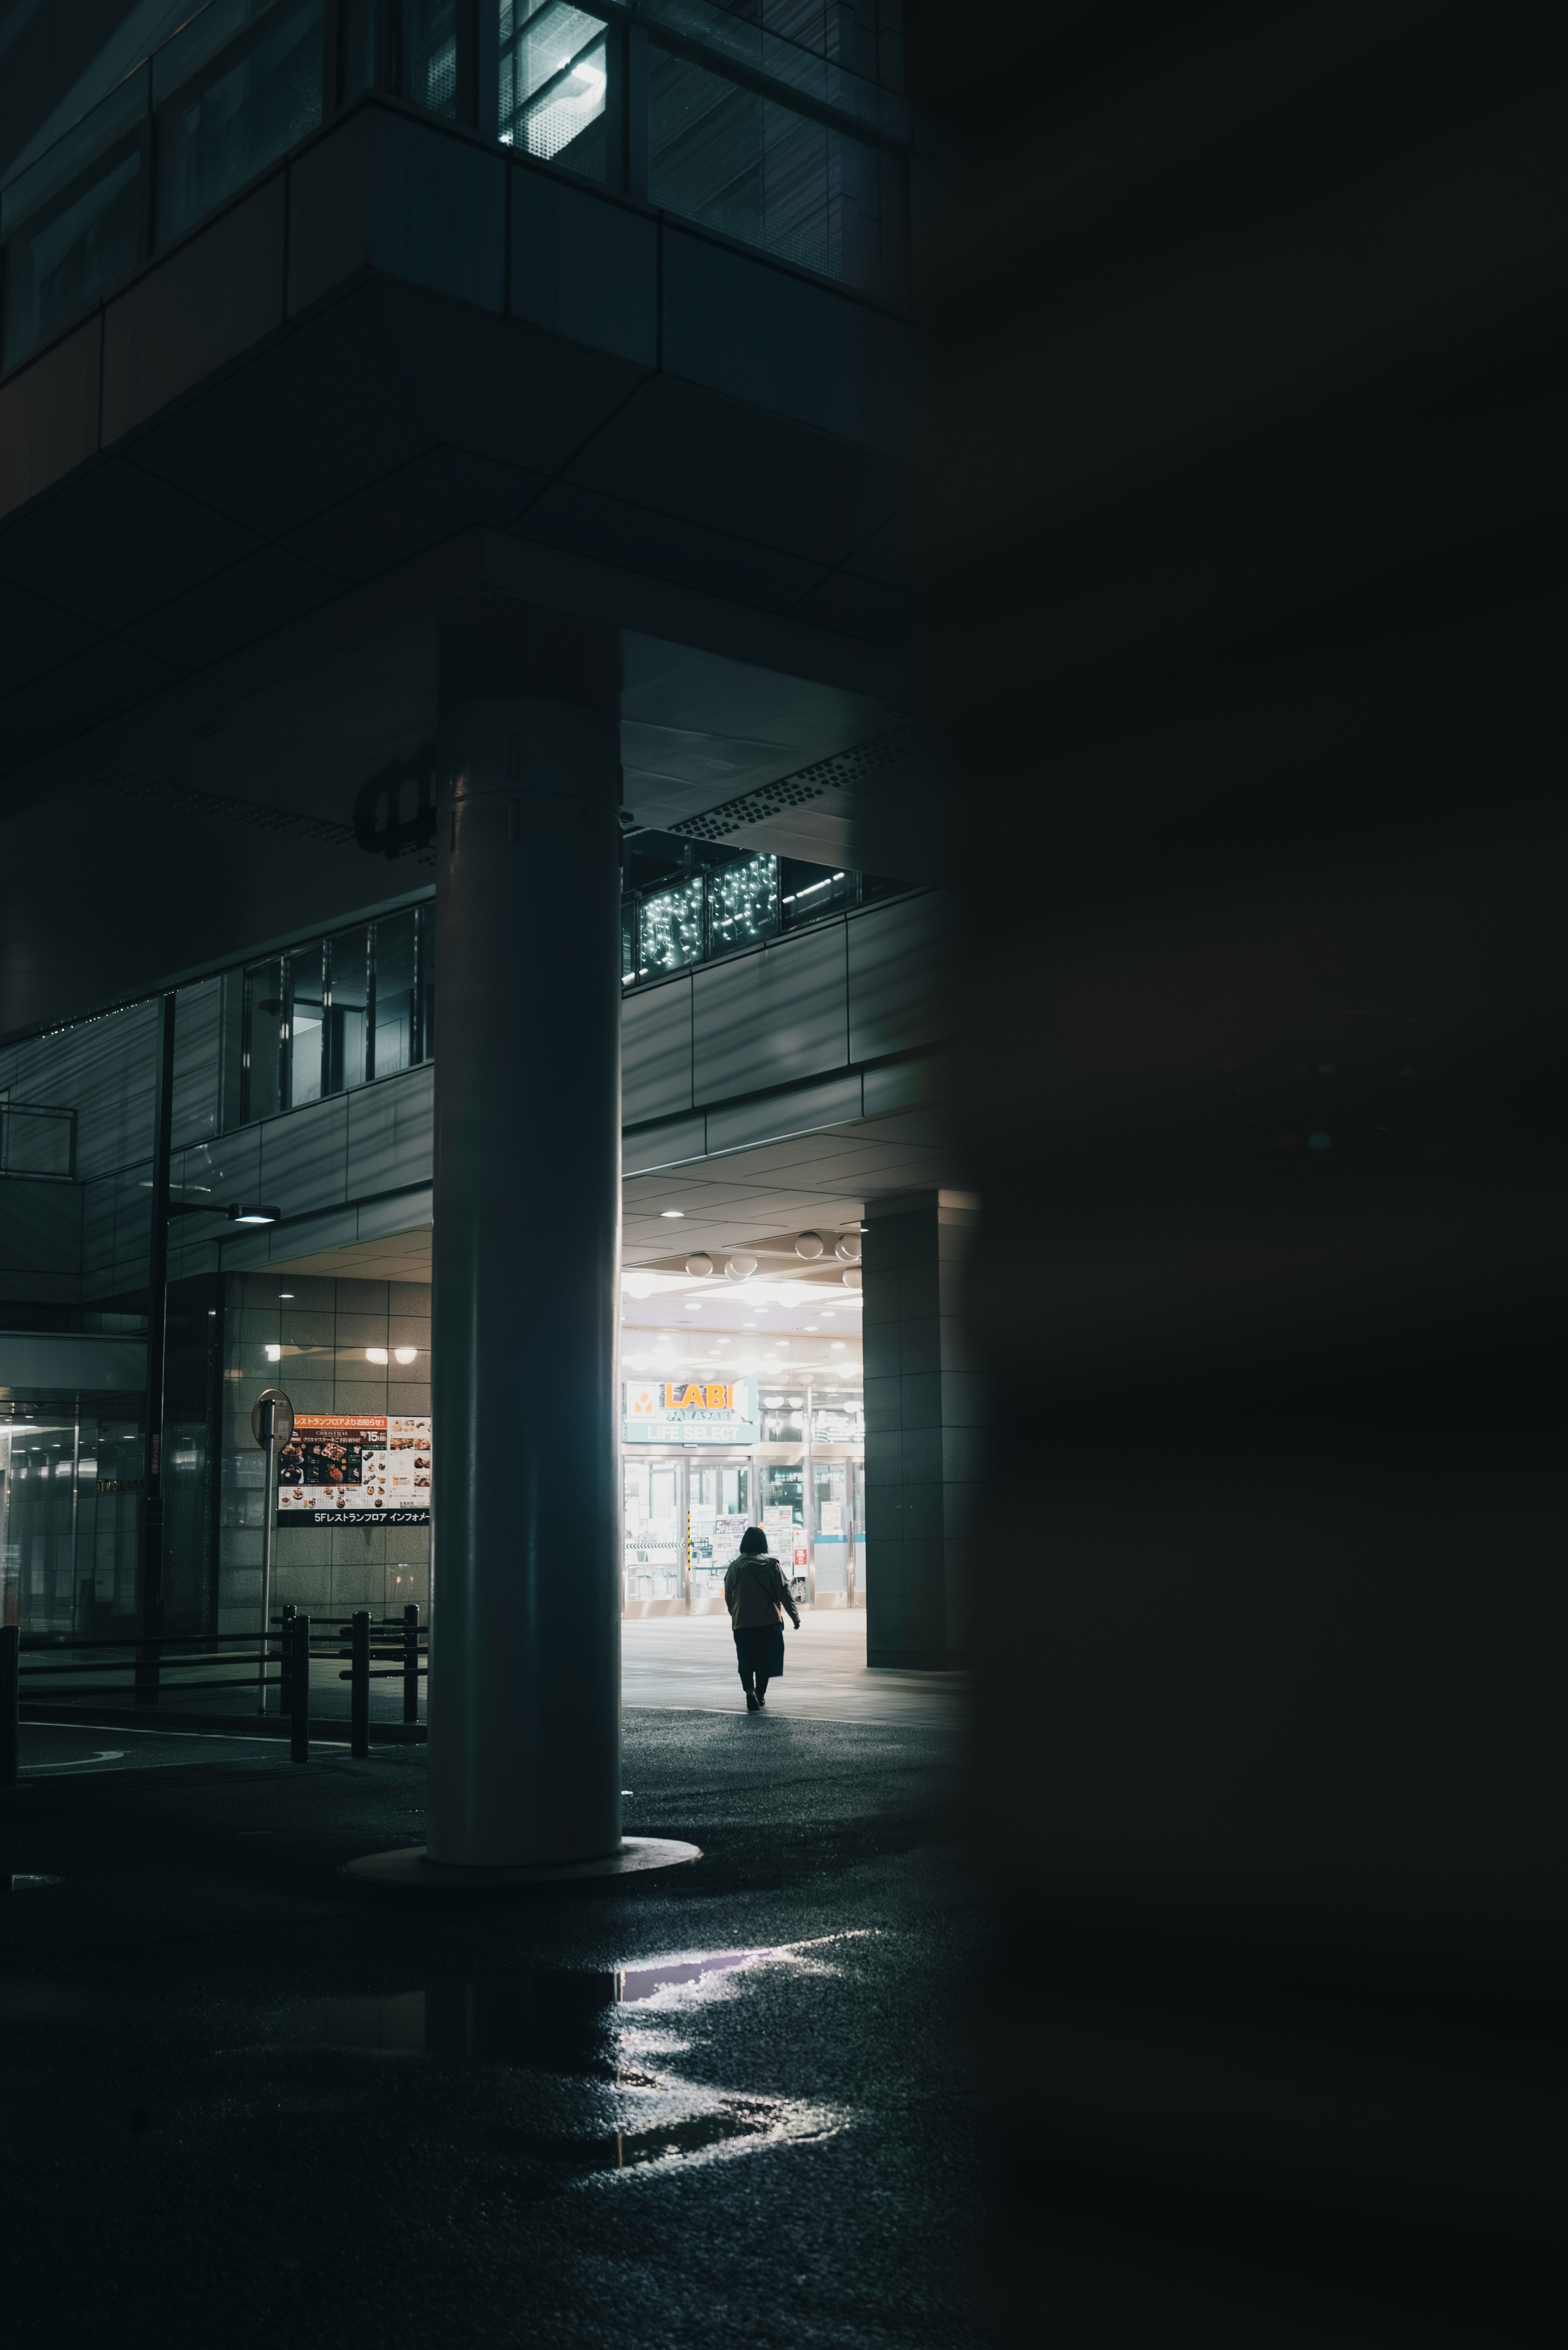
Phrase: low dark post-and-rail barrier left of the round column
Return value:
(290, 1644)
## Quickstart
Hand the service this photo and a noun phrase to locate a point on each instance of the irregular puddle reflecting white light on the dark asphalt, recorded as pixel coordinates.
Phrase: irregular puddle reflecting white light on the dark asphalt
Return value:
(582, 2107)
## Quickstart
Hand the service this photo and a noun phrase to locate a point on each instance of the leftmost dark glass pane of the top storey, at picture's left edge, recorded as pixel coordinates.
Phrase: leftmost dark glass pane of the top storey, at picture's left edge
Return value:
(74, 220)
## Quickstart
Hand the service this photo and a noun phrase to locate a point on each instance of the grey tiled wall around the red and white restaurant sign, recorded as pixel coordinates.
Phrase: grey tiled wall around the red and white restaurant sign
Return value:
(323, 1331)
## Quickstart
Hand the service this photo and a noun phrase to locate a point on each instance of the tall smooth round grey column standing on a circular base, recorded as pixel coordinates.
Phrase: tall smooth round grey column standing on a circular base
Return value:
(525, 1656)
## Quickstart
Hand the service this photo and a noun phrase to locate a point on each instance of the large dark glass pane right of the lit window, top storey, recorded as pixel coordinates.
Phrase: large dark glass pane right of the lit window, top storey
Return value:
(763, 175)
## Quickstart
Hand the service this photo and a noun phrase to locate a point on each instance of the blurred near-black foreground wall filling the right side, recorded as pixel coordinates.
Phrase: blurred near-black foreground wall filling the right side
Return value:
(1242, 502)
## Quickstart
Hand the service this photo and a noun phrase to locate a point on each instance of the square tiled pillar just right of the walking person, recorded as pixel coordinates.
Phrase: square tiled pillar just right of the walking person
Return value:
(923, 1430)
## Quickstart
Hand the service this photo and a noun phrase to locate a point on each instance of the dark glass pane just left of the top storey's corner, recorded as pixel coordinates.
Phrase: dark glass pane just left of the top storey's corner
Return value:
(239, 88)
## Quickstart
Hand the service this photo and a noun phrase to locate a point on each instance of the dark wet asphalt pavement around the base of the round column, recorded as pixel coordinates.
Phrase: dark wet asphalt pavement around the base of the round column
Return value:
(243, 2100)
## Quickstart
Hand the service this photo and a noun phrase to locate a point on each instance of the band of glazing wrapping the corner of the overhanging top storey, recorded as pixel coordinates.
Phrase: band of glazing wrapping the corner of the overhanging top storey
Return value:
(751, 128)
